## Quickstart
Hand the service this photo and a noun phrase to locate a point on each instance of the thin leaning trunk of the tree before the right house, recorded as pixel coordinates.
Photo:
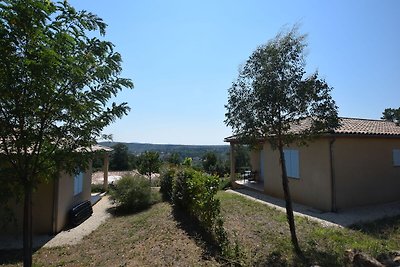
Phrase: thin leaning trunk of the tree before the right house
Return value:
(288, 200)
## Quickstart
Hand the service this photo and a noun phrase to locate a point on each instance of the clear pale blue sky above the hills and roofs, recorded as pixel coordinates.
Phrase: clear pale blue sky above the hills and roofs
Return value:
(183, 56)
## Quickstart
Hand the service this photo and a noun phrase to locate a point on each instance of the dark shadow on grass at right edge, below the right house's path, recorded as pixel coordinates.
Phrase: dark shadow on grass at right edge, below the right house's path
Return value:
(383, 228)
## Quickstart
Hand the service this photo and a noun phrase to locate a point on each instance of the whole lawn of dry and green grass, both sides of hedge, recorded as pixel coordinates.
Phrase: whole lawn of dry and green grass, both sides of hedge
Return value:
(160, 237)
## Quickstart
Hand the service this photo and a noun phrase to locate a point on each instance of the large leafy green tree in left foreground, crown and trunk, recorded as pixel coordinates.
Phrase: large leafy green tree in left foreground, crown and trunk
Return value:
(56, 79)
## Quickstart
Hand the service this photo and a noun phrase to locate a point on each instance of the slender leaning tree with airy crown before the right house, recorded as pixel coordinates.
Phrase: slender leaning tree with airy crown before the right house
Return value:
(271, 95)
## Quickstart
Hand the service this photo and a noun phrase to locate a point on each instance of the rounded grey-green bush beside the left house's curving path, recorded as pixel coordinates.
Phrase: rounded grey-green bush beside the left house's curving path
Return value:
(133, 193)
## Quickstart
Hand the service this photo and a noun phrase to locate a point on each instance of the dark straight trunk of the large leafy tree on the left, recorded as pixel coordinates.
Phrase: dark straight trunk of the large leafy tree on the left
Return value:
(27, 231)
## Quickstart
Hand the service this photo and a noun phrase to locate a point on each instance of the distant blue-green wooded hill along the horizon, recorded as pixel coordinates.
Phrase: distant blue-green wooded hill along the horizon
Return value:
(193, 151)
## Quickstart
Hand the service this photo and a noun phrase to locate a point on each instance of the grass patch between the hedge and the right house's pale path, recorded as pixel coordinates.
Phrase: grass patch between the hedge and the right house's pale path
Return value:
(264, 233)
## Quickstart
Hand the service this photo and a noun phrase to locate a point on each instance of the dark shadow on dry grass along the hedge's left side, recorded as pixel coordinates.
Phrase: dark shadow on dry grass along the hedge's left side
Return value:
(193, 228)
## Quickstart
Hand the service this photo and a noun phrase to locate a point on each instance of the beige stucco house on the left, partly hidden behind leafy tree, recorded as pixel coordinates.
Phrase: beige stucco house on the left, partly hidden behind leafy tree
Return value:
(52, 201)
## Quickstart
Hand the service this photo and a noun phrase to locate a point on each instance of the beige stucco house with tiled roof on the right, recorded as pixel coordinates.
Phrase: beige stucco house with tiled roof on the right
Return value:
(356, 164)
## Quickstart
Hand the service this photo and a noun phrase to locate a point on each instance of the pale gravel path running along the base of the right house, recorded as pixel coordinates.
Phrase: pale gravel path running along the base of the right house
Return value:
(343, 218)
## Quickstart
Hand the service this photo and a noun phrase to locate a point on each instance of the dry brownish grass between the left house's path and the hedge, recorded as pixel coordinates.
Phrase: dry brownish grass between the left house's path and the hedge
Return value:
(149, 238)
